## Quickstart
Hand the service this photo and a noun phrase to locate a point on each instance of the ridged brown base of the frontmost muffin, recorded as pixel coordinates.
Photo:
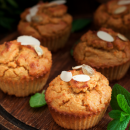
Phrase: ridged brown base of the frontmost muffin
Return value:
(77, 122)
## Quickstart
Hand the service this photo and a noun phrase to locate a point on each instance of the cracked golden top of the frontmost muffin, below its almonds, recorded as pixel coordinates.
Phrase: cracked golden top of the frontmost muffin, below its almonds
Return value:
(79, 98)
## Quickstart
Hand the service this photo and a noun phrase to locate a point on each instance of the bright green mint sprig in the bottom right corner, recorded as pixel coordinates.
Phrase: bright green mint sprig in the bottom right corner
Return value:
(120, 104)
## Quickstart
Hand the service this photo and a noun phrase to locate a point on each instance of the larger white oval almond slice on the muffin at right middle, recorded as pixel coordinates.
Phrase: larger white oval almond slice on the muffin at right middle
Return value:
(105, 36)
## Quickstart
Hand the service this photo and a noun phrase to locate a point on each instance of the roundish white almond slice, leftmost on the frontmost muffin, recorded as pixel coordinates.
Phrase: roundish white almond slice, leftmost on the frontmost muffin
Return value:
(66, 76)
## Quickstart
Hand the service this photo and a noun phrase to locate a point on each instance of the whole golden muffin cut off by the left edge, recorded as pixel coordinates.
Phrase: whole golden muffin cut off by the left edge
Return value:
(23, 71)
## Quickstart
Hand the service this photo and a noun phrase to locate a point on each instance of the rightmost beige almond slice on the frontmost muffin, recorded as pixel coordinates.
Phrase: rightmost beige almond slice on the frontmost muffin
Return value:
(87, 70)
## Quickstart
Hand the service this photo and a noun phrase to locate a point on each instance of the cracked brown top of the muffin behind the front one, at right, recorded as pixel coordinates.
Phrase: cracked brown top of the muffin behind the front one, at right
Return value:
(99, 53)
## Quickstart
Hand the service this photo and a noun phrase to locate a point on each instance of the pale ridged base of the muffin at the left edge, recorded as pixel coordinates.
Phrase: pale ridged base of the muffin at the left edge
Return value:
(23, 88)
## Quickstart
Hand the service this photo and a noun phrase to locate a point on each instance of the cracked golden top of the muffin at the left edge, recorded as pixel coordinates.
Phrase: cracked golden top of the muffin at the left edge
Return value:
(22, 62)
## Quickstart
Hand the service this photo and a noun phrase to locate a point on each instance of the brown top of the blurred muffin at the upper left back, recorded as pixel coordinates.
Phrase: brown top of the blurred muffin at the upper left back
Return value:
(50, 19)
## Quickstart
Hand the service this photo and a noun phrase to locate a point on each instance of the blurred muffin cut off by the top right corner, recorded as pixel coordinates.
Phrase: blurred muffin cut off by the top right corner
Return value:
(115, 14)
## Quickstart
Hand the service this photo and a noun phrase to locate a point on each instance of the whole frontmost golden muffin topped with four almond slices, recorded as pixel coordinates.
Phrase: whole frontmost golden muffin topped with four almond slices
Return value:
(78, 100)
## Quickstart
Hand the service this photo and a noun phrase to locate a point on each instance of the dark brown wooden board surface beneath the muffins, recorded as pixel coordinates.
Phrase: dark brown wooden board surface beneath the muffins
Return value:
(16, 114)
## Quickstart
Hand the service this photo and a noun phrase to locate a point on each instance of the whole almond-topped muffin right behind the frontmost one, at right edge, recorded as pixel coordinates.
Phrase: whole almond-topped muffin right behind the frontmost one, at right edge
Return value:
(105, 50)
